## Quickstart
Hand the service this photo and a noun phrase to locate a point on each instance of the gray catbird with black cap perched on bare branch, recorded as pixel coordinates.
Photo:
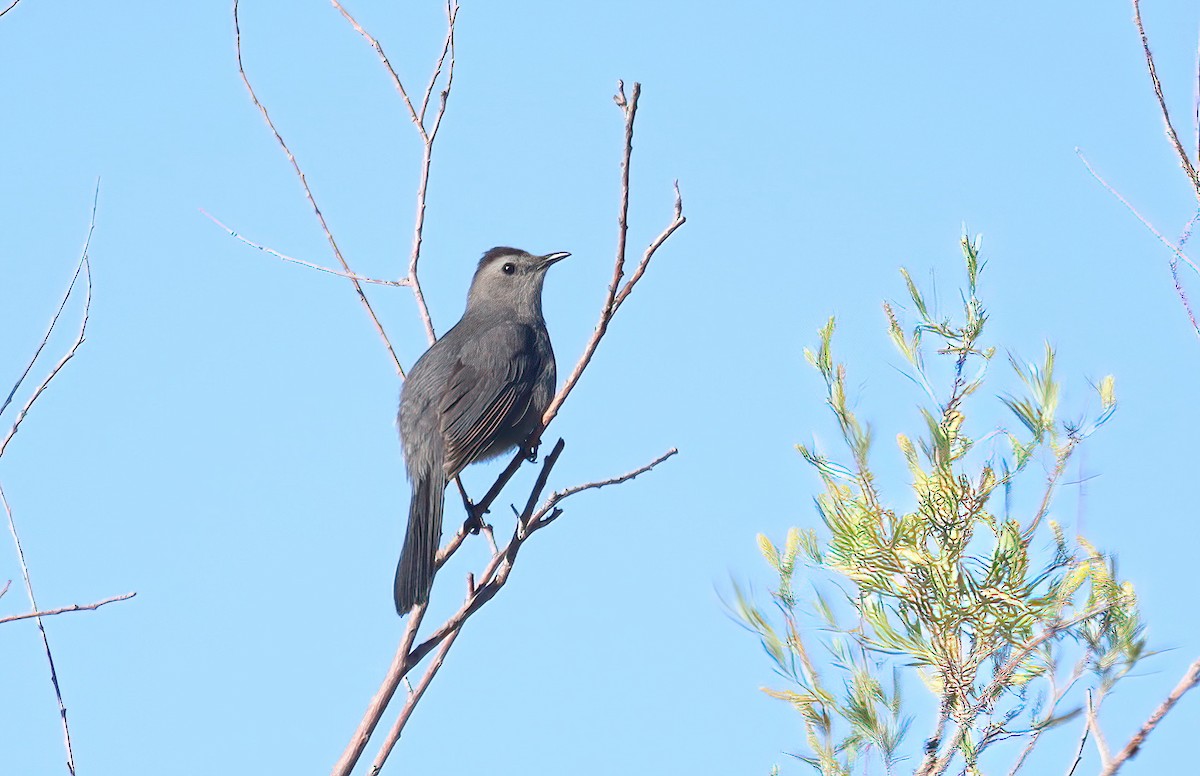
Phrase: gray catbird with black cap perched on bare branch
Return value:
(478, 393)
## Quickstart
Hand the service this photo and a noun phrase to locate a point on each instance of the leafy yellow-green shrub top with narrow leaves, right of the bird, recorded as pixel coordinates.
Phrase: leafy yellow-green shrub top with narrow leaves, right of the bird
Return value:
(955, 588)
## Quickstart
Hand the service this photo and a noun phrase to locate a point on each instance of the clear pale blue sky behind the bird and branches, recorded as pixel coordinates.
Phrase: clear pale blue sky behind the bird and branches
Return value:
(225, 442)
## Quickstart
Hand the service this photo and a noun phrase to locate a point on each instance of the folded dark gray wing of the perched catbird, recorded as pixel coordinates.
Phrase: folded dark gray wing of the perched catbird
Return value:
(488, 393)
